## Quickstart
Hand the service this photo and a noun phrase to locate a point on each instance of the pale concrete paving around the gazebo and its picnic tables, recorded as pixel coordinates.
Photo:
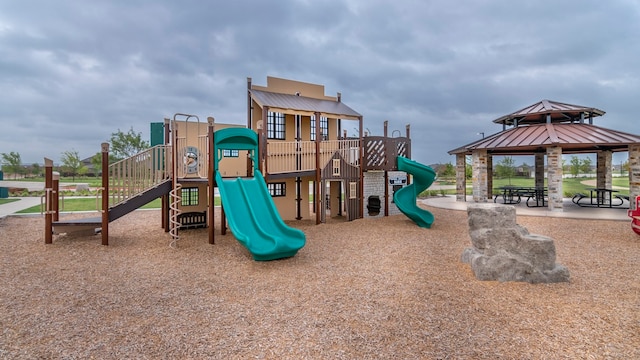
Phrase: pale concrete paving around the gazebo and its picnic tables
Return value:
(570, 210)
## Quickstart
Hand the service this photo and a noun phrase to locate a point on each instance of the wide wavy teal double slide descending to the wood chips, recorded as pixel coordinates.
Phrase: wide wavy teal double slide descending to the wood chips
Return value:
(254, 219)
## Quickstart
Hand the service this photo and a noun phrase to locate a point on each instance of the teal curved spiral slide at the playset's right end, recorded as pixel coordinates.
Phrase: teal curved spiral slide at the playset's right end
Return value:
(405, 198)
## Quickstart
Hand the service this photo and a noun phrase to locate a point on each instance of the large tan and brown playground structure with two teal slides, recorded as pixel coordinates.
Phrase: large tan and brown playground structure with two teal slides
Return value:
(253, 173)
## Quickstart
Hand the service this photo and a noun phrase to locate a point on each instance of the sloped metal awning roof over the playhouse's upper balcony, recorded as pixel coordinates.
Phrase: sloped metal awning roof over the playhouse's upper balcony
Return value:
(295, 104)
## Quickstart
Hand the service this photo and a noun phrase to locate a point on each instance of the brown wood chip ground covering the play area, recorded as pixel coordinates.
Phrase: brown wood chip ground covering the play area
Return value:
(368, 289)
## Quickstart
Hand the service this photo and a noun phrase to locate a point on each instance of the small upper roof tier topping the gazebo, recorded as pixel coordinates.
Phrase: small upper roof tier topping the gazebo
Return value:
(549, 111)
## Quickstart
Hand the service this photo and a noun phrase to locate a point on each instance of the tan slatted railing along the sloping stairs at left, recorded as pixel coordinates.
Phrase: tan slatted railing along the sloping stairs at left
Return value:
(136, 174)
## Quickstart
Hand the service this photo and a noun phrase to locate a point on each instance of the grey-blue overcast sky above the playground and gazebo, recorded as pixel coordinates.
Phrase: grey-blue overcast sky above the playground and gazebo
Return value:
(73, 72)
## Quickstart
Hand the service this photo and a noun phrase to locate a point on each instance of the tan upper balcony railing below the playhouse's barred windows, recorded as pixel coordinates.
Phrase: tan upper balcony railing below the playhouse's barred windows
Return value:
(293, 156)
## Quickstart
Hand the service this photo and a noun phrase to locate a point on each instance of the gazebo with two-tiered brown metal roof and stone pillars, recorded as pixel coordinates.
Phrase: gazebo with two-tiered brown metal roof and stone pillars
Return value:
(548, 128)
